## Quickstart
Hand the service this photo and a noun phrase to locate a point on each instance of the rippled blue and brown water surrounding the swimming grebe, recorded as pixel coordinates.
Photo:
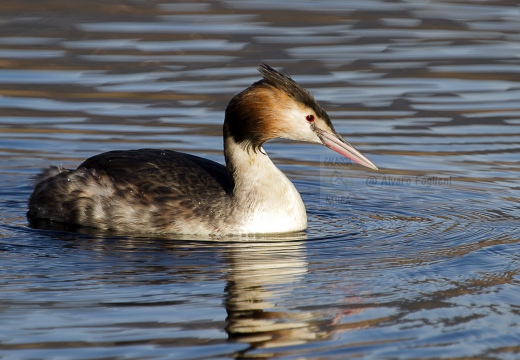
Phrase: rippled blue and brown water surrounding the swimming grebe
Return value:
(417, 260)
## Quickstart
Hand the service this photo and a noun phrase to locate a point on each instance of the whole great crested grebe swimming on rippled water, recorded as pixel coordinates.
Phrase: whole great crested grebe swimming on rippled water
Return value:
(164, 191)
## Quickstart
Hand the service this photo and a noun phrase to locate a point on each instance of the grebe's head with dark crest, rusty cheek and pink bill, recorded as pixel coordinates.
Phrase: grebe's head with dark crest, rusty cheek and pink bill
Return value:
(279, 107)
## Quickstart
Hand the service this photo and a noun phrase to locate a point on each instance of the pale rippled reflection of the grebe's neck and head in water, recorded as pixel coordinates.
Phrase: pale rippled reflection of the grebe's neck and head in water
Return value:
(265, 277)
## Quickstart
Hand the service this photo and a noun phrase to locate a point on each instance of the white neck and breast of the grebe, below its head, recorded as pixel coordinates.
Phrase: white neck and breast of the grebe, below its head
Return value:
(264, 199)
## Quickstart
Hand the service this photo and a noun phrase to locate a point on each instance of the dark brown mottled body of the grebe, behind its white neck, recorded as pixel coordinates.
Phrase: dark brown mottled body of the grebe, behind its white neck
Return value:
(132, 190)
